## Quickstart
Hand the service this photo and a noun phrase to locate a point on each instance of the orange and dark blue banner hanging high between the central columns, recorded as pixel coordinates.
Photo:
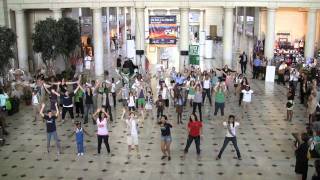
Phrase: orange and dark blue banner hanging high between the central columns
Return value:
(162, 29)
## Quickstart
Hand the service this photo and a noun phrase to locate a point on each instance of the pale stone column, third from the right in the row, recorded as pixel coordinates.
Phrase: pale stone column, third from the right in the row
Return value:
(227, 36)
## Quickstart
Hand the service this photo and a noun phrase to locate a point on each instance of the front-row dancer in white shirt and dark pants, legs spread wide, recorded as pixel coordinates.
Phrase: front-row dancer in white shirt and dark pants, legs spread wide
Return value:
(231, 126)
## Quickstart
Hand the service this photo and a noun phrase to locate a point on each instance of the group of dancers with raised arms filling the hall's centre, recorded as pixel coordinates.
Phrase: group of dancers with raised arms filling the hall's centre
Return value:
(98, 99)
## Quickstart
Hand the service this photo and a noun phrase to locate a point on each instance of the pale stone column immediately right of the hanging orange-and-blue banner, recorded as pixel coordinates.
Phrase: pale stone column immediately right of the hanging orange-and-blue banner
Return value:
(184, 37)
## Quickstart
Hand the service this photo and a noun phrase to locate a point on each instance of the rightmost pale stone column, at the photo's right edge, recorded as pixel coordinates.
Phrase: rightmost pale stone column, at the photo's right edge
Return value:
(311, 33)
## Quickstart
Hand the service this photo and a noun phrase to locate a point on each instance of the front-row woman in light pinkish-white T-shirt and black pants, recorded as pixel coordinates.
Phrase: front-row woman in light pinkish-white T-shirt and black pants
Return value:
(102, 128)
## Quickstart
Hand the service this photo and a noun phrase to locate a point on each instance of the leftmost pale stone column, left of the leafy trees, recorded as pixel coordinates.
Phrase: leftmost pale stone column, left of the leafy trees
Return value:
(22, 40)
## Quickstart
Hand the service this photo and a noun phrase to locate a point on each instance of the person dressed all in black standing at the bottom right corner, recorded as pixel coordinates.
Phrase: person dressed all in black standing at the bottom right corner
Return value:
(302, 157)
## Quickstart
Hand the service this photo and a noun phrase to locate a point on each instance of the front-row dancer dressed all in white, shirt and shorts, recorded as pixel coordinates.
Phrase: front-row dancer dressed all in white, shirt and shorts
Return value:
(132, 134)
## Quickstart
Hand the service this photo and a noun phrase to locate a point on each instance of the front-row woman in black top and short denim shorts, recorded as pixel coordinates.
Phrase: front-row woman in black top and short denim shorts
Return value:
(166, 138)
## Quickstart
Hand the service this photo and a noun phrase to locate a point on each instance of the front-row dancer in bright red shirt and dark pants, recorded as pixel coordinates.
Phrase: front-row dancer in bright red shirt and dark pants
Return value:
(195, 131)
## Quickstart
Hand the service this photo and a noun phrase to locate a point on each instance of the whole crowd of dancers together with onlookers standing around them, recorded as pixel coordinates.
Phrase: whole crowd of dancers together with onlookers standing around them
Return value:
(53, 99)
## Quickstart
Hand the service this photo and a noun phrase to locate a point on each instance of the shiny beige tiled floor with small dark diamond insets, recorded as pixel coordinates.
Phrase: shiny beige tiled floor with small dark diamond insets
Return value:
(264, 140)
